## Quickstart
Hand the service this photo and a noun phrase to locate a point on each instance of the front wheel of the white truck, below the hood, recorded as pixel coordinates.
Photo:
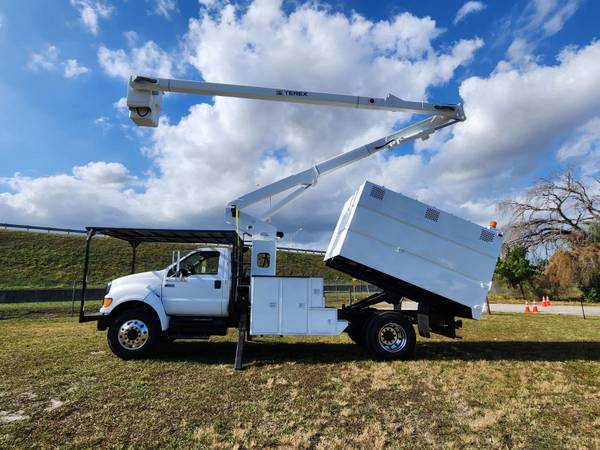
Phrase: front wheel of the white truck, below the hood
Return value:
(134, 333)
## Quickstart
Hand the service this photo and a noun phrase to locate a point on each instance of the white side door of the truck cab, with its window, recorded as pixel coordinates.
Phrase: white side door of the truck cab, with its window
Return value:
(199, 288)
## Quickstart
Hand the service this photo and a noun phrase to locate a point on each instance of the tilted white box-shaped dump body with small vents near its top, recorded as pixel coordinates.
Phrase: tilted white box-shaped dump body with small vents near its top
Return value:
(387, 236)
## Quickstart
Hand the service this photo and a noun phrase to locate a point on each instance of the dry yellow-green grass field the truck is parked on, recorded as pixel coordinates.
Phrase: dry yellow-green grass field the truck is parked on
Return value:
(514, 381)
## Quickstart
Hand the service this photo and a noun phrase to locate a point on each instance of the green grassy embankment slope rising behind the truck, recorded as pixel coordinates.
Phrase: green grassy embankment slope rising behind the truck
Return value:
(36, 260)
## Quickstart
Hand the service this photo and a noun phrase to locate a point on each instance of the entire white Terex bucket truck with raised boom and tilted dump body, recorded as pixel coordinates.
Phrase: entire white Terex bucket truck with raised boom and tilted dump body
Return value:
(407, 248)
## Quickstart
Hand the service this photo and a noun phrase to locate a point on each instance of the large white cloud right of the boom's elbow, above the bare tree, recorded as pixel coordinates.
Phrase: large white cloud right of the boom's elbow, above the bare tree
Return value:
(514, 118)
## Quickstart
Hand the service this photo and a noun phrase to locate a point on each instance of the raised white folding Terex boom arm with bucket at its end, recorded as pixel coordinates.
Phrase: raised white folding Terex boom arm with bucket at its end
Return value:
(144, 99)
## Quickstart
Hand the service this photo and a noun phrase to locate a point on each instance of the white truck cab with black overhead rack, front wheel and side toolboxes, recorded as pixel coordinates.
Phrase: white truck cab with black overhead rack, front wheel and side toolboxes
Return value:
(205, 292)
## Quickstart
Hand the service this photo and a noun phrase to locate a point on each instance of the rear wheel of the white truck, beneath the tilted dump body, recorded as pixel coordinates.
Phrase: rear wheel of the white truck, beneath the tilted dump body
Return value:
(390, 335)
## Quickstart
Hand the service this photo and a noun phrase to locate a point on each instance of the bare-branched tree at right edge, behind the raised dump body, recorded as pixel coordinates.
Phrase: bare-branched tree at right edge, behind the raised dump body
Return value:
(555, 213)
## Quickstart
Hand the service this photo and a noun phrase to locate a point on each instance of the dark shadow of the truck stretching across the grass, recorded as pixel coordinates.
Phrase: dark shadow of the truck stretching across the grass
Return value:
(261, 353)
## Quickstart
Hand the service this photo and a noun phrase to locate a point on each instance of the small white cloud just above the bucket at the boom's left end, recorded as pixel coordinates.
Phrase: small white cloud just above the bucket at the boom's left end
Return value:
(148, 59)
